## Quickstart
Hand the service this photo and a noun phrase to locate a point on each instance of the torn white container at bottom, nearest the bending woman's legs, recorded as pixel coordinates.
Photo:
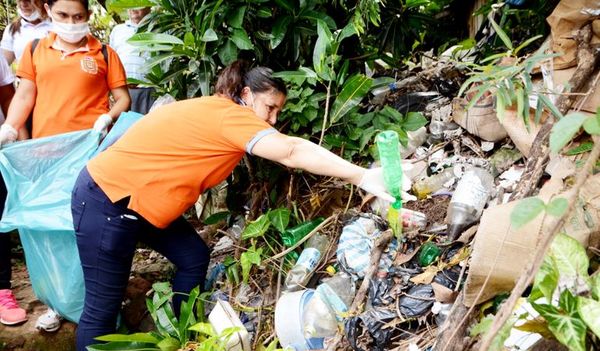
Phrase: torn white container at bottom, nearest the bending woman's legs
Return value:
(222, 317)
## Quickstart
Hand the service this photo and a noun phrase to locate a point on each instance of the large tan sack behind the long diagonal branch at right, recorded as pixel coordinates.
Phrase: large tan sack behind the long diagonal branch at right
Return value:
(513, 248)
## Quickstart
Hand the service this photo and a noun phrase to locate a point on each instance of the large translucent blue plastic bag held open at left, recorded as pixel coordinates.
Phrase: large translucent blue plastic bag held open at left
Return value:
(39, 176)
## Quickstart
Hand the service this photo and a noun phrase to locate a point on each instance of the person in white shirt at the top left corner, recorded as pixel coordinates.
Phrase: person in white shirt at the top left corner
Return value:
(32, 23)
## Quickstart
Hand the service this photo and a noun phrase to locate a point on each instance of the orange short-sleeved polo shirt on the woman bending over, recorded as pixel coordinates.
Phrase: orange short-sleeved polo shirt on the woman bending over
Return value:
(173, 154)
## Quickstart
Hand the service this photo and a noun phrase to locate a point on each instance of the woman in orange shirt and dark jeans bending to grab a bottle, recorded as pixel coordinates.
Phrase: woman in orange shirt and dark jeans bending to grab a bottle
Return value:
(138, 189)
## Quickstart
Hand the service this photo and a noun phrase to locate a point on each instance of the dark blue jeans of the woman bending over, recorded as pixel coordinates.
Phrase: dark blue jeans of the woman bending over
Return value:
(107, 235)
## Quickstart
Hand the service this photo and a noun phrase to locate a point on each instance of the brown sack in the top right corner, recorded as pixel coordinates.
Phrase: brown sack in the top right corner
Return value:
(568, 17)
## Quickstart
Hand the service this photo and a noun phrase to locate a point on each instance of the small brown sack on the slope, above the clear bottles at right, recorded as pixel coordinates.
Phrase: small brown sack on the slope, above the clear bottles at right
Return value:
(479, 120)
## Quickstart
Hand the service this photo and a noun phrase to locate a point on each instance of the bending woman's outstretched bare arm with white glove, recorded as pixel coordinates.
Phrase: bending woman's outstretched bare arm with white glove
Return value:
(300, 153)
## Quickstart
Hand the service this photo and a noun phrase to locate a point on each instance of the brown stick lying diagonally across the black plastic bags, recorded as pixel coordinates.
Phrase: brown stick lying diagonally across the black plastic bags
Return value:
(380, 245)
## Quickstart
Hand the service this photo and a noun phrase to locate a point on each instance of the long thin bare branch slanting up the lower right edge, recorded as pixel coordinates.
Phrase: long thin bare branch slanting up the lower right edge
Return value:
(533, 266)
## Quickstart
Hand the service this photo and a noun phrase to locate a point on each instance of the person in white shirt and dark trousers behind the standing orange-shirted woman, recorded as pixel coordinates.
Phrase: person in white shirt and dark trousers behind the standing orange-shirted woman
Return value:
(133, 60)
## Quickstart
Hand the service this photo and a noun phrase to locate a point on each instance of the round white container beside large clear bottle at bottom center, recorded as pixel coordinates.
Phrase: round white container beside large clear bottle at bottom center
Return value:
(288, 321)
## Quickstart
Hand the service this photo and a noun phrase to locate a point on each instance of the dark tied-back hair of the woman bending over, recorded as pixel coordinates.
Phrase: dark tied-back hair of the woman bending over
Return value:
(237, 75)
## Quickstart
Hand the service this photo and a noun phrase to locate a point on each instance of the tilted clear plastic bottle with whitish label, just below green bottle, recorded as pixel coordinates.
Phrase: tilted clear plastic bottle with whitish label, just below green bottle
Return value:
(300, 274)
